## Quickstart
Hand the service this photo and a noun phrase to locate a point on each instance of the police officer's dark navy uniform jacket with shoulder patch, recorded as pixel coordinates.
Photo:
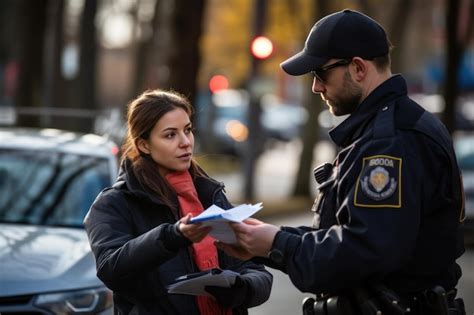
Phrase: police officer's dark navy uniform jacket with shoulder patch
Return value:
(389, 207)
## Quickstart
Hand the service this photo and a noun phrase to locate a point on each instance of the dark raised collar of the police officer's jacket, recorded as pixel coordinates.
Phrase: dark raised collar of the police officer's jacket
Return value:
(350, 129)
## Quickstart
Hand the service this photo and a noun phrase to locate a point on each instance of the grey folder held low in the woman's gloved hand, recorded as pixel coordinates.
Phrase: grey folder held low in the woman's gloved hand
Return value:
(194, 284)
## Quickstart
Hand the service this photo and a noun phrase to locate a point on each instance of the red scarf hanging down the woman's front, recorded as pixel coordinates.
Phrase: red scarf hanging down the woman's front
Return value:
(204, 252)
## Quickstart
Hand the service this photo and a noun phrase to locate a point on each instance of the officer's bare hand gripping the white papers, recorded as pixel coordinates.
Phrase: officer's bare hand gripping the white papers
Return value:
(255, 236)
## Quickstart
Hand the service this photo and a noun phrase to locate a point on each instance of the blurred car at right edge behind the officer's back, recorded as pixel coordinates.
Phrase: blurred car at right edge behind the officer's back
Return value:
(464, 147)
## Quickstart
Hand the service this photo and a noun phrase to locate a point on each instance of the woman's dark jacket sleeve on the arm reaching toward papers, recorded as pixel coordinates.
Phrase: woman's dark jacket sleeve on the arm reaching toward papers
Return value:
(121, 257)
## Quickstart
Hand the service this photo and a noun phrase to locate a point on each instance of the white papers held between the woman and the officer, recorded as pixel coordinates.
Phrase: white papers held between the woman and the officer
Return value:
(219, 219)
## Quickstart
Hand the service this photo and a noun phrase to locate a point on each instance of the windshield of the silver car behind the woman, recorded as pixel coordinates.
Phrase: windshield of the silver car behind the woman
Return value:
(49, 188)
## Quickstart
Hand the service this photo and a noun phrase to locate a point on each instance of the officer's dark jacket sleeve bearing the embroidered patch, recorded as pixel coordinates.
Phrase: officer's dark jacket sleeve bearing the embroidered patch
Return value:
(379, 198)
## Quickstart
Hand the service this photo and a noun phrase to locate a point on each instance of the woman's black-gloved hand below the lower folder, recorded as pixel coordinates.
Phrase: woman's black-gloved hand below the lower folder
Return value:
(230, 297)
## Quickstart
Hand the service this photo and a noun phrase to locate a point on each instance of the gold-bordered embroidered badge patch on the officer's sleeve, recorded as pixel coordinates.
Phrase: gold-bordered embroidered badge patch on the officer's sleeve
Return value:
(379, 182)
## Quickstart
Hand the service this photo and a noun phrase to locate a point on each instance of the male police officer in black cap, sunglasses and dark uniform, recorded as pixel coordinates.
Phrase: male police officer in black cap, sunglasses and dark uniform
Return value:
(389, 208)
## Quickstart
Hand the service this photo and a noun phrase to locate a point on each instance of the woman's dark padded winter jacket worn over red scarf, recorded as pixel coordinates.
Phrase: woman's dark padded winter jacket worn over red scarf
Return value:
(138, 252)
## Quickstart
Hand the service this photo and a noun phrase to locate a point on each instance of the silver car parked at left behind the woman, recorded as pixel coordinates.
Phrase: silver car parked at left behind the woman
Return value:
(48, 180)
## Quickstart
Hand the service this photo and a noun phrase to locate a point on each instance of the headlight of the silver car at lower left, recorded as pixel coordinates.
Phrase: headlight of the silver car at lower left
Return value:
(76, 302)
